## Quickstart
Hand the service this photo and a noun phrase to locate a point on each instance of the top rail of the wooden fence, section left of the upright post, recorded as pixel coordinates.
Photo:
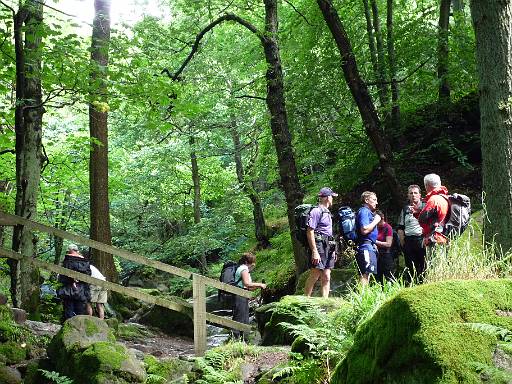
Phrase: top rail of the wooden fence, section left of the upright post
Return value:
(97, 245)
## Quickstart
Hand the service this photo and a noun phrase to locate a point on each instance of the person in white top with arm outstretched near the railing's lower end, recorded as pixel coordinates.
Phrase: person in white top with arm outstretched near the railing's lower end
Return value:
(243, 280)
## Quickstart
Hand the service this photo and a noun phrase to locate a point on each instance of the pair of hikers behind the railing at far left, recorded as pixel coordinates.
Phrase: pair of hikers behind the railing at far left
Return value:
(78, 297)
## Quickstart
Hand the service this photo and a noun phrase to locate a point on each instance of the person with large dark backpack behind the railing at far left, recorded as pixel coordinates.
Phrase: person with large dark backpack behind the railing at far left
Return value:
(74, 293)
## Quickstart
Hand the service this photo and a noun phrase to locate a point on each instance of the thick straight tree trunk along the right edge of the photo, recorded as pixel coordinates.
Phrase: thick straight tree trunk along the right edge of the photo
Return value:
(492, 19)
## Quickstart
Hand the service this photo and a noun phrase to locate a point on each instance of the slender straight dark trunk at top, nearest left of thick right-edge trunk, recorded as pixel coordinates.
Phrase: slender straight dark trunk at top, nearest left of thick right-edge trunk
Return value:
(443, 52)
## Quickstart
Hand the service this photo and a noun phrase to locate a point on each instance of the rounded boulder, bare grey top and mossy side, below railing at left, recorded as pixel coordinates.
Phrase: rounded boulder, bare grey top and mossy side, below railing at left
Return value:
(85, 350)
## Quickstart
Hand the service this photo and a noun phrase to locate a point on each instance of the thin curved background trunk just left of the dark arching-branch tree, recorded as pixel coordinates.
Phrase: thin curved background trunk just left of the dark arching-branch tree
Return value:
(260, 226)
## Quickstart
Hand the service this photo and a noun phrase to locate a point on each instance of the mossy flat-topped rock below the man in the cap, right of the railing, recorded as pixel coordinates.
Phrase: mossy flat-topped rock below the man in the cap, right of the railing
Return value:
(293, 310)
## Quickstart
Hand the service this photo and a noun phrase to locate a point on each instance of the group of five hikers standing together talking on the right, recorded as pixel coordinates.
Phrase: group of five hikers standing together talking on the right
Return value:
(420, 227)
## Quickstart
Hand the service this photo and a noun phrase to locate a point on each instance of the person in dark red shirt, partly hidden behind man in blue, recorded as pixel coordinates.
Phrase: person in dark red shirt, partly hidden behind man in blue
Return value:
(385, 261)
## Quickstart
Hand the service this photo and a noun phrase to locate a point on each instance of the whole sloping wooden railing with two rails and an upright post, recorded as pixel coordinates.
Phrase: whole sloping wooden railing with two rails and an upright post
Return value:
(199, 282)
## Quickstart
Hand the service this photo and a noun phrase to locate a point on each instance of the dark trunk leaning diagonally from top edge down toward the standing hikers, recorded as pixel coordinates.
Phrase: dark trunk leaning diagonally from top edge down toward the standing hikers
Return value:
(362, 98)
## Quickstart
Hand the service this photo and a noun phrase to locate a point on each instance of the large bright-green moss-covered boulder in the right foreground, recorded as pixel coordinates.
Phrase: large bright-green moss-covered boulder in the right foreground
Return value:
(436, 333)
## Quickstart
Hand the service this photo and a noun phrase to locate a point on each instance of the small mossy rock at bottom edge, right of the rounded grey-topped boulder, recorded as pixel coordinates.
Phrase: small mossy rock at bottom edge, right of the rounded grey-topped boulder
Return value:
(167, 370)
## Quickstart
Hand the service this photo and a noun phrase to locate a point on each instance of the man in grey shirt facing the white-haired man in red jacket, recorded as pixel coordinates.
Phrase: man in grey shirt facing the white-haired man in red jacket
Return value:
(411, 234)
